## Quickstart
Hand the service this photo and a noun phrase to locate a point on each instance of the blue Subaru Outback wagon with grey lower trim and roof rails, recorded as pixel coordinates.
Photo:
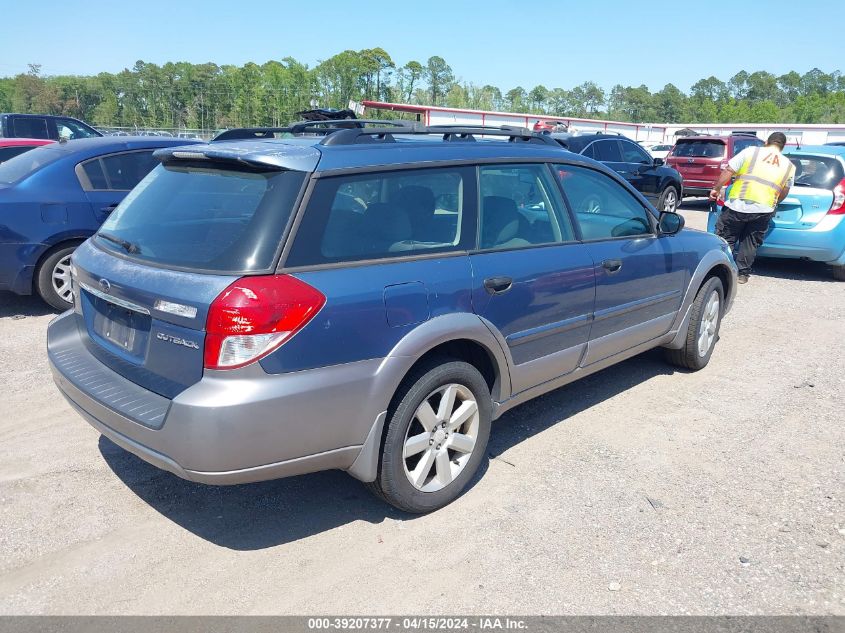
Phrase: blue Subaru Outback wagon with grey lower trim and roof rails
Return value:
(369, 299)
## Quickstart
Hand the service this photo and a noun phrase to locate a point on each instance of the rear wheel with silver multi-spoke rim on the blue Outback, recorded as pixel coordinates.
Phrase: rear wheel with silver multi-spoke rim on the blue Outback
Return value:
(432, 448)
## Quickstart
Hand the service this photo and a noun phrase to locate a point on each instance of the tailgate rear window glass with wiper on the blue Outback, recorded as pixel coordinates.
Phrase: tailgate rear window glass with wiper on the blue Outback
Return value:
(205, 218)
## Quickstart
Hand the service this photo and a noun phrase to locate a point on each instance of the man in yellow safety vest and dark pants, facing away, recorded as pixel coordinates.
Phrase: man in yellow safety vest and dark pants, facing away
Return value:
(763, 177)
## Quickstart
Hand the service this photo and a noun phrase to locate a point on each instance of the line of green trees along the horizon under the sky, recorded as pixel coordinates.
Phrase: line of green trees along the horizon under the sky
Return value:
(209, 96)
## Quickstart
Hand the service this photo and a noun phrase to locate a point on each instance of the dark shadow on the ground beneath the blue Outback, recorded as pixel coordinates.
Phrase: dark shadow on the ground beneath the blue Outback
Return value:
(261, 515)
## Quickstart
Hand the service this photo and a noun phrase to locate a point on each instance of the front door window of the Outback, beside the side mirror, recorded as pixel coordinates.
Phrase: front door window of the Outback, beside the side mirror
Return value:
(603, 208)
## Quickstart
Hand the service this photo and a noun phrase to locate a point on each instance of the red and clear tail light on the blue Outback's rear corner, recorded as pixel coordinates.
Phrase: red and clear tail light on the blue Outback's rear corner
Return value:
(254, 316)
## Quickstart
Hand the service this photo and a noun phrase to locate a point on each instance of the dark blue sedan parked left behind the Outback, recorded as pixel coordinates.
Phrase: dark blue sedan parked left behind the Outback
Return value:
(54, 197)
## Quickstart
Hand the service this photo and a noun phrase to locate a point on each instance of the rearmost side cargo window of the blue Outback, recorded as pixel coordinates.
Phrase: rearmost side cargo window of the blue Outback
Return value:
(389, 214)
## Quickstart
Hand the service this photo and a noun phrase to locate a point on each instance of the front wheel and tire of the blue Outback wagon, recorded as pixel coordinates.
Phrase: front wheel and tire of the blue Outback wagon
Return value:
(703, 329)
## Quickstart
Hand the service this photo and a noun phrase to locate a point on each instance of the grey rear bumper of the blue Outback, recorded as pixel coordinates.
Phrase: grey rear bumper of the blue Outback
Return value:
(231, 429)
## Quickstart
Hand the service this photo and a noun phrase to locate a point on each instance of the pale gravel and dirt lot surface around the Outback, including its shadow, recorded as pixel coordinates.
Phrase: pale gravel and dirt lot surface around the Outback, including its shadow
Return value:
(641, 489)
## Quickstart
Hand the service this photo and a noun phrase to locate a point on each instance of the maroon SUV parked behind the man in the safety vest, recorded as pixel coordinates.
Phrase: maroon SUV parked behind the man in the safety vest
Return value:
(700, 159)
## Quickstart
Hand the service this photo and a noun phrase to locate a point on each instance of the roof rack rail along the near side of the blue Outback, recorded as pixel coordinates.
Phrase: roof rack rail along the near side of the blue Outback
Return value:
(449, 132)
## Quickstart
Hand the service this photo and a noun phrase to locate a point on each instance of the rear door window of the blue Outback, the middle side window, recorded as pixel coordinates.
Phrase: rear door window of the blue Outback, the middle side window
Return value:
(520, 206)
